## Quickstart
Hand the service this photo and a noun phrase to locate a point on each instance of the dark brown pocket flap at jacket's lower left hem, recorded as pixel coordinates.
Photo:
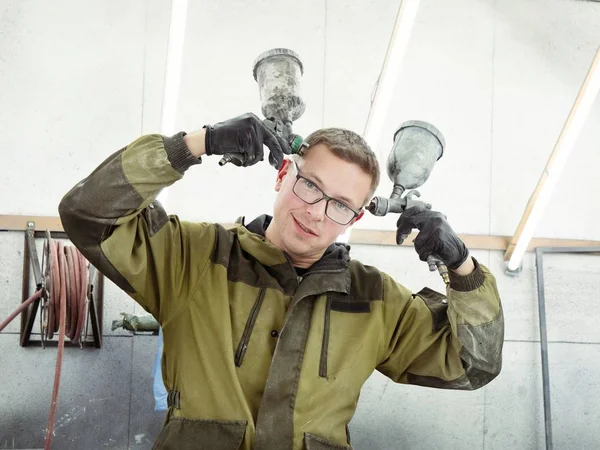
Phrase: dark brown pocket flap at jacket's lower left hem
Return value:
(188, 434)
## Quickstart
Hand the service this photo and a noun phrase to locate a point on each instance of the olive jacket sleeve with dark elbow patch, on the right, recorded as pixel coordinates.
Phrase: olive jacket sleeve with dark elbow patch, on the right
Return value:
(448, 342)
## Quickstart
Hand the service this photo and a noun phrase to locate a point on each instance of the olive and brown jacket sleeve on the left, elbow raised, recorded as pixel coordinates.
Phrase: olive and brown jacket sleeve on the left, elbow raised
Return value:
(113, 218)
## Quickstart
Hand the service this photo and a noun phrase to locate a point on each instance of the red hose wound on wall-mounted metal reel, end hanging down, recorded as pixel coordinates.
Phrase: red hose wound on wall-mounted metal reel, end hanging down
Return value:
(66, 299)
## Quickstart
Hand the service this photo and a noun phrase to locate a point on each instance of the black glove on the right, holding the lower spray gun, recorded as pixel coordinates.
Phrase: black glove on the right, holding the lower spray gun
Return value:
(436, 237)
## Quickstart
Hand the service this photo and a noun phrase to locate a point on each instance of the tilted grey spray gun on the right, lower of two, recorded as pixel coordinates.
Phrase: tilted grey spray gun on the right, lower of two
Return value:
(417, 146)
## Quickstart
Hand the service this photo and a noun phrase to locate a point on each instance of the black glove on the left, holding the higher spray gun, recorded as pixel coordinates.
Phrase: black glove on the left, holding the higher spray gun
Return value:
(242, 139)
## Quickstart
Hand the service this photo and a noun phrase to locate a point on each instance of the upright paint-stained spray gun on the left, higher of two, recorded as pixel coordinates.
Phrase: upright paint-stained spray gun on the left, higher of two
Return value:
(278, 73)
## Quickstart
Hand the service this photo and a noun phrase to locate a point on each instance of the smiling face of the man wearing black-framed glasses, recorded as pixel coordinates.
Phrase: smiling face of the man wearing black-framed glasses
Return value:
(301, 229)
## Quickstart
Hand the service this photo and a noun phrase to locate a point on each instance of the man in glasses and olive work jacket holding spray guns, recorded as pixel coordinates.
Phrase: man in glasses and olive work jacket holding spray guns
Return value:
(270, 329)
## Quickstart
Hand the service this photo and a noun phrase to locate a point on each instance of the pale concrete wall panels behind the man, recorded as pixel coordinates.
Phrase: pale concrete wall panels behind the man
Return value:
(79, 80)
